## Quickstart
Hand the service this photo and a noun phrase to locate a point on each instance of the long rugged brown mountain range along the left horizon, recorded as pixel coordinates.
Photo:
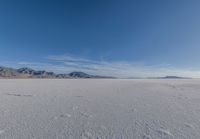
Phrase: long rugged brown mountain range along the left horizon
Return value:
(6, 72)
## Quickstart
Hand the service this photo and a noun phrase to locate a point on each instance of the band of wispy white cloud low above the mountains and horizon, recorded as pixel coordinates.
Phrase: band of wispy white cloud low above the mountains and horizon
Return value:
(67, 63)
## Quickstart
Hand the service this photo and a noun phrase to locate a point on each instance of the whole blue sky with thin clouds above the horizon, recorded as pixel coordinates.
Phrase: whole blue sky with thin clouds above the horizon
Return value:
(126, 38)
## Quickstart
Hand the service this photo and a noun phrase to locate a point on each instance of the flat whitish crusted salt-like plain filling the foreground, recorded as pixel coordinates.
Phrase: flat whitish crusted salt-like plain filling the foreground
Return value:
(99, 109)
